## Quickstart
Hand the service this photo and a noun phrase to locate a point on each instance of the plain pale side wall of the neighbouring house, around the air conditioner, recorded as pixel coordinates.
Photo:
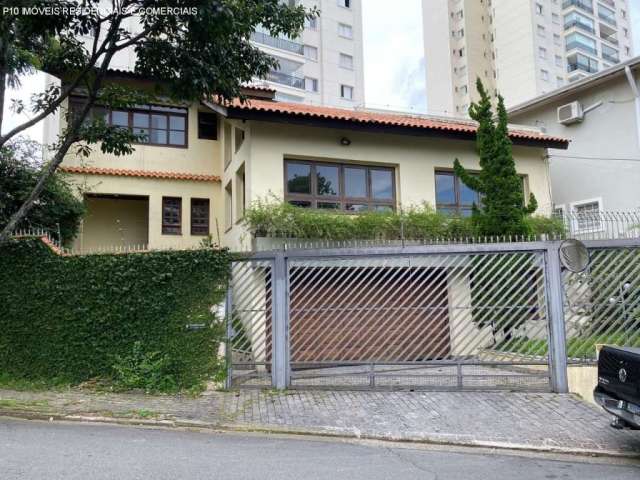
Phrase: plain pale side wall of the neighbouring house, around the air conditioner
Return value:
(603, 159)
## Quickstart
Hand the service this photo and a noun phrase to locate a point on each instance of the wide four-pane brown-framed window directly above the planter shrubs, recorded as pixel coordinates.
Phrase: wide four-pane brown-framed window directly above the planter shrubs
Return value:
(333, 186)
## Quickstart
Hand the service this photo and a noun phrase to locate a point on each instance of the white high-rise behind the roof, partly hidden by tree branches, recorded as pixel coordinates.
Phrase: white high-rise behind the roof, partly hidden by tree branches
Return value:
(324, 66)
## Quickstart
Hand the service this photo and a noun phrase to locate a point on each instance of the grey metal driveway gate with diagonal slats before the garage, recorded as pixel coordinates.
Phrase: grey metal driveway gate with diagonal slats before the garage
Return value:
(439, 317)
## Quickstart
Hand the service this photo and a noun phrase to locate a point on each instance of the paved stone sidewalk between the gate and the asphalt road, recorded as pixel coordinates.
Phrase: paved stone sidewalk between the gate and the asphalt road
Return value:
(533, 421)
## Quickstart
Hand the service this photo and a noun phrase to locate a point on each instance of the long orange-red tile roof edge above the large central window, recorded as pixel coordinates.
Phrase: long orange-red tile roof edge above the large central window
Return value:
(390, 119)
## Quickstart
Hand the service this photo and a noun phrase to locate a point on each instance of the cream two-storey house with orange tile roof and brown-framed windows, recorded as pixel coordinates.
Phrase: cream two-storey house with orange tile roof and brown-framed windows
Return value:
(203, 164)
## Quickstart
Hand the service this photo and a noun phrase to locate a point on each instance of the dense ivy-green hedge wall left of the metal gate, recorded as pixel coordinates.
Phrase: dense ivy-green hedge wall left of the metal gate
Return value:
(82, 317)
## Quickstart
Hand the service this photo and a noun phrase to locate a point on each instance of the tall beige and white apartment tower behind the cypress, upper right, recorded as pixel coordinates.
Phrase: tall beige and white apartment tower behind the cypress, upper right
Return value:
(518, 48)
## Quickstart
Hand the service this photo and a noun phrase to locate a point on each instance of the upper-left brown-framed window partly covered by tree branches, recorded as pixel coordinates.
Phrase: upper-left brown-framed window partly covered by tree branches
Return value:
(157, 125)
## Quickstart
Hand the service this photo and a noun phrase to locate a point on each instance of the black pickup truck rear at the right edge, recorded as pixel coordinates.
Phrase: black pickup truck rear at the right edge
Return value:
(618, 390)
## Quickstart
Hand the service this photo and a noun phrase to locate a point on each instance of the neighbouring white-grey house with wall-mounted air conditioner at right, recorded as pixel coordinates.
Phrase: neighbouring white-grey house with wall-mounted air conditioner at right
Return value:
(600, 171)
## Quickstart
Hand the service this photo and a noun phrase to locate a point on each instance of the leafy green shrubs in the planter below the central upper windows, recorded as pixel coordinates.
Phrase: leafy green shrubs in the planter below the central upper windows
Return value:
(272, 218)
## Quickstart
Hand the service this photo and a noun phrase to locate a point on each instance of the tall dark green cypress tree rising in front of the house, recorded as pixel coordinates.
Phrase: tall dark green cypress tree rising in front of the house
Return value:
(503, 209)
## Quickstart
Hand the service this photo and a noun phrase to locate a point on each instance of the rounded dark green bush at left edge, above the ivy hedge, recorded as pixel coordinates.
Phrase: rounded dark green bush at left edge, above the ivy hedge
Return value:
(57, 204)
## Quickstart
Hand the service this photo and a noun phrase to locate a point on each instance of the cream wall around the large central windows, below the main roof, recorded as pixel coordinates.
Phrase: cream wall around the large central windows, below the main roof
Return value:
(415, 160)
